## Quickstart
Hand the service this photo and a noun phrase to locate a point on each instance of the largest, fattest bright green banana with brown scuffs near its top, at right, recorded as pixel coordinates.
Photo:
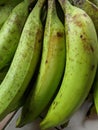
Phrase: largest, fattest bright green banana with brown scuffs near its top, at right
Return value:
(81, 64)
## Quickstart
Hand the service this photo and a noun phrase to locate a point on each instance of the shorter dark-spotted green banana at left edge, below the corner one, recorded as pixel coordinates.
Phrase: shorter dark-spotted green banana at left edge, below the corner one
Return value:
(10, 33)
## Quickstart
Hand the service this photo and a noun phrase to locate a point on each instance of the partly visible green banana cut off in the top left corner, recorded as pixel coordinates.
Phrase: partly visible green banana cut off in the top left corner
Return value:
(5, 11)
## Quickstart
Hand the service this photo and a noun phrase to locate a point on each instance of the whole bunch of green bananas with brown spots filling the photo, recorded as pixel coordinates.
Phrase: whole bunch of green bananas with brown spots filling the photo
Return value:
(48, 58)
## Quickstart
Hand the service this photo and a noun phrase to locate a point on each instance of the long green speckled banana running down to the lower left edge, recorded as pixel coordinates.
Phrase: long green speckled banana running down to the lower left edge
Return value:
(23, 64)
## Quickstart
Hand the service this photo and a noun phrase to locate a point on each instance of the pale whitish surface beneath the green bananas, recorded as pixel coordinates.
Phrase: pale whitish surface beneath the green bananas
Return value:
(76, 123)
